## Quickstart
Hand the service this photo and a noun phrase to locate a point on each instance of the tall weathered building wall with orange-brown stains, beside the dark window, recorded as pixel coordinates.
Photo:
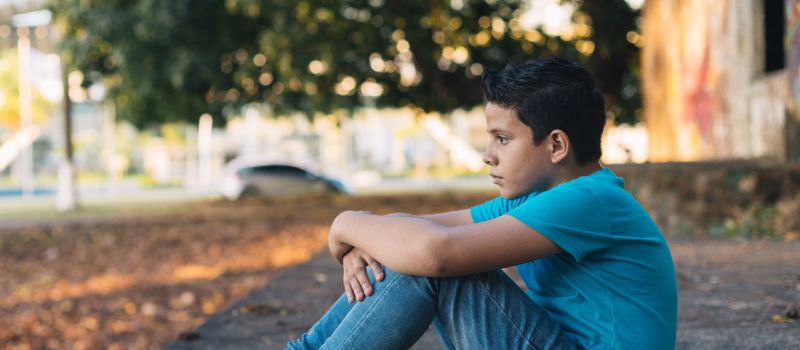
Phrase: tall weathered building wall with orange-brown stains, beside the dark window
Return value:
(706, 96)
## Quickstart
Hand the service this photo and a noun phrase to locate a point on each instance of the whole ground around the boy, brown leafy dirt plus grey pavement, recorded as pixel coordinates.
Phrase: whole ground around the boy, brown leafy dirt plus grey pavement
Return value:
(254, 275)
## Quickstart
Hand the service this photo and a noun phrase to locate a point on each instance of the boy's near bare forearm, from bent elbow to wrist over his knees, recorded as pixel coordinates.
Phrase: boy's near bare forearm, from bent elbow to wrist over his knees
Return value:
(405, 244)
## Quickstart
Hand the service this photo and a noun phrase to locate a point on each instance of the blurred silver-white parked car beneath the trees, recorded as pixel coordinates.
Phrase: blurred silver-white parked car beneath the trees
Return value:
(274, 177)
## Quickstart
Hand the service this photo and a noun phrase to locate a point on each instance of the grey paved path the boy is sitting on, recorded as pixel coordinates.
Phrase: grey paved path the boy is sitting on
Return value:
(729, 292)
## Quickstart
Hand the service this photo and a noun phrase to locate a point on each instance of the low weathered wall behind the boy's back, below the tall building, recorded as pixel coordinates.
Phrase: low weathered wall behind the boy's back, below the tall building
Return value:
(748, 199)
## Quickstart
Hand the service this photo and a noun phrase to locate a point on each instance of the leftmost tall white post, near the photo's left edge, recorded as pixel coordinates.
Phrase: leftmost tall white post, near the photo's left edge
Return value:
(25, 107)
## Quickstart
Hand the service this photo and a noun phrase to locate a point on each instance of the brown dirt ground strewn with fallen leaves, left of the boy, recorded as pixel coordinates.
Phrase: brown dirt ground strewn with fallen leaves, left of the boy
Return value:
(131, 281)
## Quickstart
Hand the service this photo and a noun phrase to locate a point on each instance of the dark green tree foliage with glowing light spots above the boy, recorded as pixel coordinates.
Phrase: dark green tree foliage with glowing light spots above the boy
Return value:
(167, 61)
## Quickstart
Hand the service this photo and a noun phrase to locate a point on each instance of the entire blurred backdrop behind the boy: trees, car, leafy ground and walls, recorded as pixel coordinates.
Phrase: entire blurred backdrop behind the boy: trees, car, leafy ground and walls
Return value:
(126, 126)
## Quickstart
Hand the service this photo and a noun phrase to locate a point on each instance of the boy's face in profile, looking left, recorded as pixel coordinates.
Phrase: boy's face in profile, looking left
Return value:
(518, 167)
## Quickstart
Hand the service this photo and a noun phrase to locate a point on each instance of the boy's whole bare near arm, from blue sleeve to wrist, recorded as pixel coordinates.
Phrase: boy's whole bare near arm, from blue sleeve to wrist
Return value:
(420, 247)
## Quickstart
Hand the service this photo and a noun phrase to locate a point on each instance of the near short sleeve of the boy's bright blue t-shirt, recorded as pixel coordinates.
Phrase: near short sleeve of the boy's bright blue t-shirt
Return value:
(571, 216)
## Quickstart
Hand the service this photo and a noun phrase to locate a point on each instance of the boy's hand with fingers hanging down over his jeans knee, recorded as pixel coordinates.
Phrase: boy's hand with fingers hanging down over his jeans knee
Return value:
(356, 281)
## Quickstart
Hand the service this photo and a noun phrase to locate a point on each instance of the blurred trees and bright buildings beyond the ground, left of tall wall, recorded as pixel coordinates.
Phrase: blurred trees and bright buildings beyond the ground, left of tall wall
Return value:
(159, 97)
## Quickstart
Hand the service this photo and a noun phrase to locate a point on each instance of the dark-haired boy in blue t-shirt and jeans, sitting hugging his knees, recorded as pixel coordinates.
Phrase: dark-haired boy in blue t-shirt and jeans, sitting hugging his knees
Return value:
(599, 271)
